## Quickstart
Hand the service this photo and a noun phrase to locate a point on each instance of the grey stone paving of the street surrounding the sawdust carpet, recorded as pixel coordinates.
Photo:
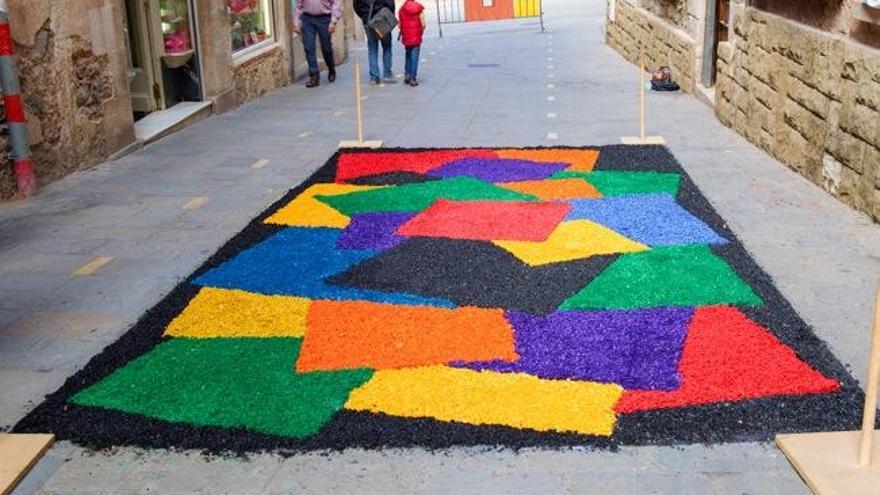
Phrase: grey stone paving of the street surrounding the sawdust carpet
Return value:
(162, 211)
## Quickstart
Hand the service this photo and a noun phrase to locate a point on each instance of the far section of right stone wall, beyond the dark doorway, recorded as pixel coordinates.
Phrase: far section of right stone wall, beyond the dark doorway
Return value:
(664, 43)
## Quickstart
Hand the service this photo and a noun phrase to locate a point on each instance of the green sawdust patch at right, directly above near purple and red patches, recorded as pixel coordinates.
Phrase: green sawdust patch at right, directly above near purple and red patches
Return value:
(668, 276)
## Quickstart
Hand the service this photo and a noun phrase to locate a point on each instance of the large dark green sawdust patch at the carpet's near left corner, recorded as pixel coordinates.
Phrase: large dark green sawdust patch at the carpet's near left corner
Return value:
(248, 383)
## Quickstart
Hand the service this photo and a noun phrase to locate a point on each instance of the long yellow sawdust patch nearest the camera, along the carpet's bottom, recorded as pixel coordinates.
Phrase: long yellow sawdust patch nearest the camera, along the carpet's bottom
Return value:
(490, 398)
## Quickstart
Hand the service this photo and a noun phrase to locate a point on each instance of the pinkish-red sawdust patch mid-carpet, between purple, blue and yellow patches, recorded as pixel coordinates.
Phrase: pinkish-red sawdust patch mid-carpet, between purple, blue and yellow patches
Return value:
(487, 220)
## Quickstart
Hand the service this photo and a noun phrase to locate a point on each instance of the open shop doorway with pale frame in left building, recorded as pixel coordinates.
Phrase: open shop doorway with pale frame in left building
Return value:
(163, 62)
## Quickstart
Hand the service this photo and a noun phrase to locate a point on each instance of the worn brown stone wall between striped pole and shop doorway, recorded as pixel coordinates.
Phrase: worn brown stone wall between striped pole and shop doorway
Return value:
(73, 80)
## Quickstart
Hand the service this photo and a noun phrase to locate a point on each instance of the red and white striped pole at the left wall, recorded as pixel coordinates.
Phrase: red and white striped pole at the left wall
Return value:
(21, 154)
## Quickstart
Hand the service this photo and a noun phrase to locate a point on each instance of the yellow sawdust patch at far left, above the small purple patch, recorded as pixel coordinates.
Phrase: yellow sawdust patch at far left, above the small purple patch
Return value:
(306, 211)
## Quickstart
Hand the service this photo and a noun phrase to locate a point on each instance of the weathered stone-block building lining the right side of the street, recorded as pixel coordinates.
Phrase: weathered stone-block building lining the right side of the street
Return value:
(799, 78)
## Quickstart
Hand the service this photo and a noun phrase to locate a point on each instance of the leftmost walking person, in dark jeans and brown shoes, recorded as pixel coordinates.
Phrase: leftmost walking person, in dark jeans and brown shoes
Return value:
(313, 18)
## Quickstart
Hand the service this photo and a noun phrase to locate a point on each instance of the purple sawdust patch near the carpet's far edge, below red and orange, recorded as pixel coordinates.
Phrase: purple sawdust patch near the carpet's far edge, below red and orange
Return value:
(498, 169)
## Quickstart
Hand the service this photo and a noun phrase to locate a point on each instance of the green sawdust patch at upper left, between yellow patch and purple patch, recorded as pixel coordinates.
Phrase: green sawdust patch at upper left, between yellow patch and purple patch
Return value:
(417, 197)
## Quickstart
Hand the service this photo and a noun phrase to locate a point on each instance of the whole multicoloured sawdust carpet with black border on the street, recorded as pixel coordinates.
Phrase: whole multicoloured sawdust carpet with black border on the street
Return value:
(455, 297)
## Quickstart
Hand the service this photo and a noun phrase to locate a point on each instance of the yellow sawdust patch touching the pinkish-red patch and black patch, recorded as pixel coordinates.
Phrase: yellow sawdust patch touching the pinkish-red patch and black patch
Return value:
(572, 240)
